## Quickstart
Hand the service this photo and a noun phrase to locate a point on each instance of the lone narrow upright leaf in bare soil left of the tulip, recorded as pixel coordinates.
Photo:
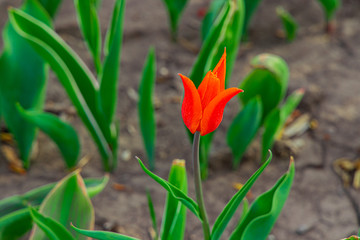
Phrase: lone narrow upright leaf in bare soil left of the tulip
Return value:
(146, 107)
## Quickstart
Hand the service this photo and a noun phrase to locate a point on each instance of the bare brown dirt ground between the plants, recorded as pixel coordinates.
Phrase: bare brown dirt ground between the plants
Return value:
(319, 207)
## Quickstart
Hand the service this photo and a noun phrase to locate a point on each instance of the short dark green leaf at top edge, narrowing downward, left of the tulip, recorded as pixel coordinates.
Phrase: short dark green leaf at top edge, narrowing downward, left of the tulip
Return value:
(175, 9)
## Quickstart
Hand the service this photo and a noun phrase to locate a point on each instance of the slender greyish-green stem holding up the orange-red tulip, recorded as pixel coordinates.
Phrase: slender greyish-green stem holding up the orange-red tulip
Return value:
(198, 188)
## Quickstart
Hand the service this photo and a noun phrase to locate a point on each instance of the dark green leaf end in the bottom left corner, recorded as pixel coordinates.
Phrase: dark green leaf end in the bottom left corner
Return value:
(15, 224)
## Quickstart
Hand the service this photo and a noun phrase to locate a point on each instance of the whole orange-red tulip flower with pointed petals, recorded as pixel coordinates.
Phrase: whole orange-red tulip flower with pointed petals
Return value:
(202, 109)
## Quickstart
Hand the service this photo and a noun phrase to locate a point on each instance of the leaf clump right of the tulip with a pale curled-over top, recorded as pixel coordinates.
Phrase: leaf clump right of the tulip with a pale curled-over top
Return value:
(263, 105)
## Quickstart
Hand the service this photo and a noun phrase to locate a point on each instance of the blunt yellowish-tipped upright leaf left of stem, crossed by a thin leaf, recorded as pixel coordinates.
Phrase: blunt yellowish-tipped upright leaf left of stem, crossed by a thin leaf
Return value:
(174, 218)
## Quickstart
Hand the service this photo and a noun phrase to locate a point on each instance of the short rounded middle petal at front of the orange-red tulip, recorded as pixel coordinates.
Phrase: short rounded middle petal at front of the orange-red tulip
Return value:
(208, 89)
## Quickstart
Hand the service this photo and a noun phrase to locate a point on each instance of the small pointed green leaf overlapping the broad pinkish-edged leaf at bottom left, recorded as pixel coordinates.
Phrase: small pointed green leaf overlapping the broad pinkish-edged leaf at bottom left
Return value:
(52, 229)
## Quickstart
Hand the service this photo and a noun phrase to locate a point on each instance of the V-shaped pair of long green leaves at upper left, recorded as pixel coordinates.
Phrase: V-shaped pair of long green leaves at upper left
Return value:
(95, 108)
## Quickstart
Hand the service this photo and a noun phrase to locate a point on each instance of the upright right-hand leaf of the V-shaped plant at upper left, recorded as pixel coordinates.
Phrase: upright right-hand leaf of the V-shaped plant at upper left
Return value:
(110, 74)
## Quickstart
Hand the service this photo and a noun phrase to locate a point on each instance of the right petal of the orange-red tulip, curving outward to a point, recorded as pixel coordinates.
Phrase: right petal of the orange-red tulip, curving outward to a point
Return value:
(213, 113)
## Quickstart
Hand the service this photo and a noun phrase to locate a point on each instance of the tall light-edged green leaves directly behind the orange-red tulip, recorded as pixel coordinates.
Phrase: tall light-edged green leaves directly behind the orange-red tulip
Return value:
(225, 32)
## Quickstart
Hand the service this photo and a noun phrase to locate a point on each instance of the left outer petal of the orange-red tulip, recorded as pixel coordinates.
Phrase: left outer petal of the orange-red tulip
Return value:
(191, 109)
